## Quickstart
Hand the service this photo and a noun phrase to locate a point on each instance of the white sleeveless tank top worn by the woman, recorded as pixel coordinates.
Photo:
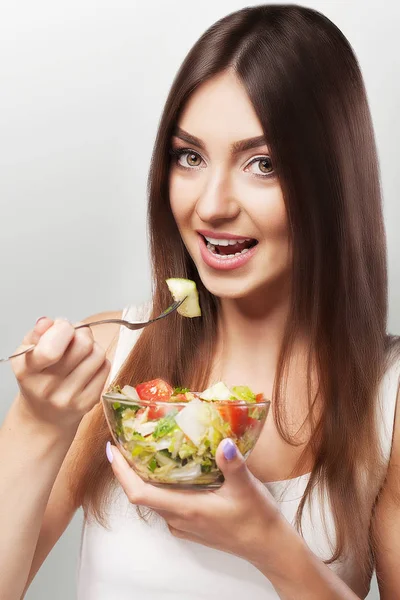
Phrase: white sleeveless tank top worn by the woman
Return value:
(134, 559)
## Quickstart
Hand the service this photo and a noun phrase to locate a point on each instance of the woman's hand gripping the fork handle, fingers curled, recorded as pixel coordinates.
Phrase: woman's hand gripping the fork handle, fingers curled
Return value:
(63, 377)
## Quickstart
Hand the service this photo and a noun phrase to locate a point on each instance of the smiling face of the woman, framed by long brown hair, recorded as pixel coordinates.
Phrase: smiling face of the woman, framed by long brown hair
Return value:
(225, 197)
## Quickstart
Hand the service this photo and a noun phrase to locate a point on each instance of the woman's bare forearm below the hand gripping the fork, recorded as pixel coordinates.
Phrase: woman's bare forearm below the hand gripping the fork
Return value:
(31, 456)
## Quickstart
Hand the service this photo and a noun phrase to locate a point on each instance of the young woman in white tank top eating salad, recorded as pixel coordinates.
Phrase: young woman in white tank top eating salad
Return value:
(266, 139)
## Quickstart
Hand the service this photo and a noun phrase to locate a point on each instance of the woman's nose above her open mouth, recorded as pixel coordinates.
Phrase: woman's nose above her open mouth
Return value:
(217, 201)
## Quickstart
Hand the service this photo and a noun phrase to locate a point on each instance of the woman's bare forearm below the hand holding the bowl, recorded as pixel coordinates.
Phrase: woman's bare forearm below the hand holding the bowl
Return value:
(295, 572)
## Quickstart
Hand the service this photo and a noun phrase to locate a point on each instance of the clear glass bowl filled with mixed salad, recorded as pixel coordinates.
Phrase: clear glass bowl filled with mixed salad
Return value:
(173, 444)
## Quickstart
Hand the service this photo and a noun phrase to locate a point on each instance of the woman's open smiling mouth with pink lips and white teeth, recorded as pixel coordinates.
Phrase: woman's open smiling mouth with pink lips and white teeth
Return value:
(226, 253)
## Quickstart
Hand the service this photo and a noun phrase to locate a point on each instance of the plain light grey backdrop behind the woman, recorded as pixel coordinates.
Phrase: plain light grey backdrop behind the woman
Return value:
(82, 86)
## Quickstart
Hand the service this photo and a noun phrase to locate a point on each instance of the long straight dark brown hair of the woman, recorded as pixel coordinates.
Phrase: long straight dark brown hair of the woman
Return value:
(305, 84)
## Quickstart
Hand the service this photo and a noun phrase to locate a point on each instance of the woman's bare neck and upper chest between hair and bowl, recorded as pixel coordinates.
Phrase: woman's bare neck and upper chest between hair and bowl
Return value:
(249, 342)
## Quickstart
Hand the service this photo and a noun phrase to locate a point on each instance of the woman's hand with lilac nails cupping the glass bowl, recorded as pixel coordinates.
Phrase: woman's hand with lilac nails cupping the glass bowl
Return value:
(236, 518)
